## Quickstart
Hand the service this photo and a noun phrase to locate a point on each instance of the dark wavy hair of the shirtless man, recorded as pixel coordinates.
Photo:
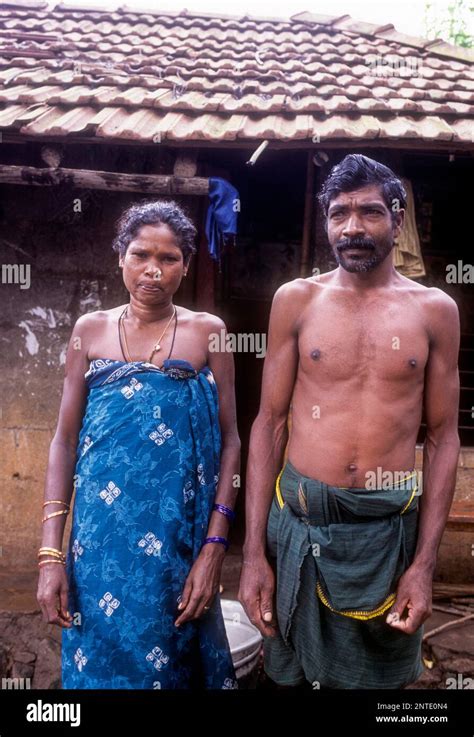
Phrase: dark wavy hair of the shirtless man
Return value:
(355, 171)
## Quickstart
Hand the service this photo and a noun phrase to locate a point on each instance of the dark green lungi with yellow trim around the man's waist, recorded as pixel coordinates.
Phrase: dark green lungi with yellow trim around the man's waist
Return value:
(339, 554)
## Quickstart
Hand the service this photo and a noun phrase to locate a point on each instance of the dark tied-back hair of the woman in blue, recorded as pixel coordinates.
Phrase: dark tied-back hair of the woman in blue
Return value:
(159, 212)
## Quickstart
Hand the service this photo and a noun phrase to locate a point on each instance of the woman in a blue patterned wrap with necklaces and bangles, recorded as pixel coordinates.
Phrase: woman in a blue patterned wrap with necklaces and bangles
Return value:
(153, 454)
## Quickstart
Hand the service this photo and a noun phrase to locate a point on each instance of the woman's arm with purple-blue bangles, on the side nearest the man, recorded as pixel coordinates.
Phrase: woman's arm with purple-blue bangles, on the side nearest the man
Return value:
(203, 581)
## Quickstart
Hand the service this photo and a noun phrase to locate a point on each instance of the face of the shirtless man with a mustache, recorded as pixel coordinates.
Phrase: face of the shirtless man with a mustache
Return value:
(360, 228)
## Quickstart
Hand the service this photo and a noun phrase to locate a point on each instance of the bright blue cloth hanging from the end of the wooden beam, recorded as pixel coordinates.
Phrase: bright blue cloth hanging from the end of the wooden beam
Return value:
(221, 218)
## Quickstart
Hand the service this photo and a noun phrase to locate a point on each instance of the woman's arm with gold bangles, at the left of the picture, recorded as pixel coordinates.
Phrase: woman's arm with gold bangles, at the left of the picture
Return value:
(60, 472)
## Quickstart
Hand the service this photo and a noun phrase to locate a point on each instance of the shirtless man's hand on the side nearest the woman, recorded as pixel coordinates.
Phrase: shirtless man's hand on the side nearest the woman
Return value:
(257, 585)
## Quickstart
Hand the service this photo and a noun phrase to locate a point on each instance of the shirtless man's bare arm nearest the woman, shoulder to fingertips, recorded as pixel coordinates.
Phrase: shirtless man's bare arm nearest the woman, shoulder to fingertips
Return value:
(267, 445)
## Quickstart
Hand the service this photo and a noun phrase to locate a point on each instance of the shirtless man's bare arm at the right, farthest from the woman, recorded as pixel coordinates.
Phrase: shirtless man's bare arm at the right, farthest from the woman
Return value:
(440, 458)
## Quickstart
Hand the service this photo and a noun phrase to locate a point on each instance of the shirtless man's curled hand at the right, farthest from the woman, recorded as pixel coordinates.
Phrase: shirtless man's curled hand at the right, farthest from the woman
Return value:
(413, 603)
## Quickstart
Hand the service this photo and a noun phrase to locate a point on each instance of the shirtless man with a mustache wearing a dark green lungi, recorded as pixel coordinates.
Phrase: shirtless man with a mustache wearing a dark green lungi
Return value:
(357, 352)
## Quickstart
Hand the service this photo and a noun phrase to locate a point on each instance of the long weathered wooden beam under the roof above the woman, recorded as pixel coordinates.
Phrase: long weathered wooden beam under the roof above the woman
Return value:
(108, 180)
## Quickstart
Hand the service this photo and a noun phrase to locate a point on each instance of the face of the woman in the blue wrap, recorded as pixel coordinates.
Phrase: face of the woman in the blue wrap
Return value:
(153, 265)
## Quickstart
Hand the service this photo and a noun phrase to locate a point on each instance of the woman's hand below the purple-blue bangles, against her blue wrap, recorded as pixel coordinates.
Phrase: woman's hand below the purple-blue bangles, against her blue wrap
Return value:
(202, 583)
